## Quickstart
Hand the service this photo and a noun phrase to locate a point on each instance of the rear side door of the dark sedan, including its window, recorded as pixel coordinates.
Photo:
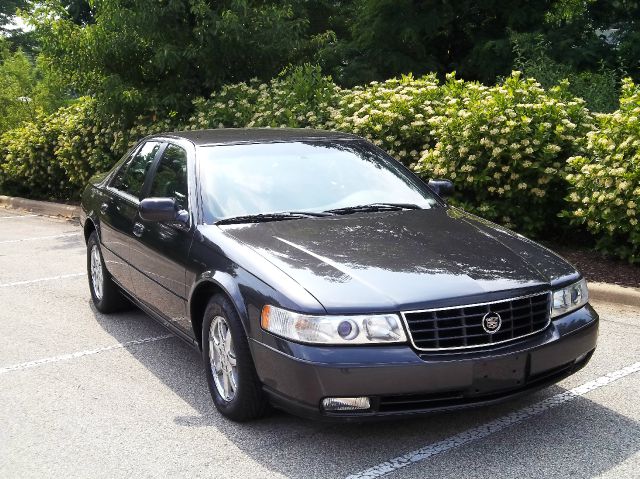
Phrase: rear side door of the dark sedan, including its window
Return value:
(119, 210)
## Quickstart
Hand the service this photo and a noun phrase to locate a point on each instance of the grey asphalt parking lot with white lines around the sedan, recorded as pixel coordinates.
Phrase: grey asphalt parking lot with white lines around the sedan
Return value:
(88, 395)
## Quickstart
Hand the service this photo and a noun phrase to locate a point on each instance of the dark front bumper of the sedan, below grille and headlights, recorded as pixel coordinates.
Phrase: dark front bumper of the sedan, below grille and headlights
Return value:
(400, 380)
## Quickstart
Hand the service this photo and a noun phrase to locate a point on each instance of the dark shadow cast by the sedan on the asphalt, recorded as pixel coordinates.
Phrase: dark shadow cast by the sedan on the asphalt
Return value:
(561, 437)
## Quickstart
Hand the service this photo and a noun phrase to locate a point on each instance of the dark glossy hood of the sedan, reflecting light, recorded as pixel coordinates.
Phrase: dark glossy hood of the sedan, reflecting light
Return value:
(403, 259)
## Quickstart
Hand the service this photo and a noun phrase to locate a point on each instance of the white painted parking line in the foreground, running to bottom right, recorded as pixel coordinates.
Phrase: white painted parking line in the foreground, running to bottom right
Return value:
(492, 427)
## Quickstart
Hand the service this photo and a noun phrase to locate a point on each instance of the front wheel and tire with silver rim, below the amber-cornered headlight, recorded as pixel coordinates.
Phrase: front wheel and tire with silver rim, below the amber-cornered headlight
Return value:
(242, 399)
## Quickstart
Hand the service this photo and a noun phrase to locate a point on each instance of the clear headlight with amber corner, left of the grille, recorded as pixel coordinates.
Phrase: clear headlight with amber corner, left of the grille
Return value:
(347, 329)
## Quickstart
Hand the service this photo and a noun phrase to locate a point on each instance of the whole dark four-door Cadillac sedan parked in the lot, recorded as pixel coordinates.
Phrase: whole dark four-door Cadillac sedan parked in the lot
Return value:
(317, 274)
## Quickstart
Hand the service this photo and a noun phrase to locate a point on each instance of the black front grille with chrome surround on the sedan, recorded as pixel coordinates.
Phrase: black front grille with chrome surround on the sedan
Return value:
(461, 326)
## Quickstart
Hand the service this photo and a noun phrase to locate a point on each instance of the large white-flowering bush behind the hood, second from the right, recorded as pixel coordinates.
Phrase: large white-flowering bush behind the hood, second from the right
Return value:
(506, 147)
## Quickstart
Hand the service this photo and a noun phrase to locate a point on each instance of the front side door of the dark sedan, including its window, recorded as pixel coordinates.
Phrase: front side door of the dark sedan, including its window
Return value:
(160, 250)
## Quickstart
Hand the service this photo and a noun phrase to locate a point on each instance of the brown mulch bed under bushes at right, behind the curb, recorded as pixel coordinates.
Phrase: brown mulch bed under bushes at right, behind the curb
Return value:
(597, 267)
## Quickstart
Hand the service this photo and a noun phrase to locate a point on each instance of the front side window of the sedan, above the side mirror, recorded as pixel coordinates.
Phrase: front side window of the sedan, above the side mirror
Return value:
(170, 180)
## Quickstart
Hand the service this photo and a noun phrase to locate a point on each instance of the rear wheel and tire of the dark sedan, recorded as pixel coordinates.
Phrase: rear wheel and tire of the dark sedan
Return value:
(106, 296)
